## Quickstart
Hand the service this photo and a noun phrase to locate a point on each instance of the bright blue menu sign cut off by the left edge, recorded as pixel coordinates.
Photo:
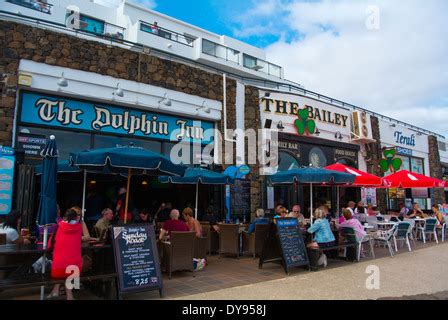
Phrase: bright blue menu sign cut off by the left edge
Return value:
(7, 161)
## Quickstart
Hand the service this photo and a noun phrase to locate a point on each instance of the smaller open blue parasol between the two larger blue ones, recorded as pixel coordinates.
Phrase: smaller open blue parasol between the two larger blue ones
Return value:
(199, 175)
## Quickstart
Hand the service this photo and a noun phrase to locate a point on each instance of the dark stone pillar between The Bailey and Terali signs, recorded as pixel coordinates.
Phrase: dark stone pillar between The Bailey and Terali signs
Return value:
(373, 162)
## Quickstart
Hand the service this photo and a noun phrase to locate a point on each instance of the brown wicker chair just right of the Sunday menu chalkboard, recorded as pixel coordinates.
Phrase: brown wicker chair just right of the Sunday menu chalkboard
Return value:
(178, 253)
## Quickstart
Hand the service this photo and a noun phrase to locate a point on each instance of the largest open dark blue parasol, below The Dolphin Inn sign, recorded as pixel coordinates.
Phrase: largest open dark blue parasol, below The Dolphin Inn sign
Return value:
(120, 159)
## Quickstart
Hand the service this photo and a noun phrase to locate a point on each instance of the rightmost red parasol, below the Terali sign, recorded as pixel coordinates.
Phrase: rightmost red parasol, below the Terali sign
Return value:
(407, 179)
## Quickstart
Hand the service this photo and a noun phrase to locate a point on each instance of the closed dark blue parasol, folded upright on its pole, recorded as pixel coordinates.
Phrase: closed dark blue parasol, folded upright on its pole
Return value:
(47, 211)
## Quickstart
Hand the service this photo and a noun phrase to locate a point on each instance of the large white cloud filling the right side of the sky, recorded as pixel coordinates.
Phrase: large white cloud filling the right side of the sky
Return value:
(400, 70)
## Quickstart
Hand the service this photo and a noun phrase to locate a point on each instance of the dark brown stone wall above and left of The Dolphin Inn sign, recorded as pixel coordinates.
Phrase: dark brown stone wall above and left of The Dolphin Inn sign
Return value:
(18, 41)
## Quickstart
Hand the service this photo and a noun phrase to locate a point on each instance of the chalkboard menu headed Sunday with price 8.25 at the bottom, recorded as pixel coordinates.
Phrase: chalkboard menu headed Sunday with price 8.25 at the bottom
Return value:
(137, 258)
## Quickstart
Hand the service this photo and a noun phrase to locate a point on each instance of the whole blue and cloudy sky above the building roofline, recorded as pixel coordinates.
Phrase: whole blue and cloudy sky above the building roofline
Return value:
(388, 56)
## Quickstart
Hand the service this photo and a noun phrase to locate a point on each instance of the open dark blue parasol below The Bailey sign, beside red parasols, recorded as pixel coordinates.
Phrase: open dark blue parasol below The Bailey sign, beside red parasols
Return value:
(311, 175)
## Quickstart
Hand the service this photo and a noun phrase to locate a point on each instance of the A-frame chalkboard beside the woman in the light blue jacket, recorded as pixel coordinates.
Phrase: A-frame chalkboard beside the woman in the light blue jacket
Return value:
(285, 244)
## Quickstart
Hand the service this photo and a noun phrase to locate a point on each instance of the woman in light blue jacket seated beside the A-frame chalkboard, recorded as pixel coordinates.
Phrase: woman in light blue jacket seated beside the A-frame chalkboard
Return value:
(323, 236)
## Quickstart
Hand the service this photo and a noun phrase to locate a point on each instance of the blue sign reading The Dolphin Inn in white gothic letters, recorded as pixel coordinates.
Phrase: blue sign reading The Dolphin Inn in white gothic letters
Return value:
(57, 111)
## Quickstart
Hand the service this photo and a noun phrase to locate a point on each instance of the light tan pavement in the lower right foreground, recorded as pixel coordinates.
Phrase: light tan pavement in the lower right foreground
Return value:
(422, 273)
